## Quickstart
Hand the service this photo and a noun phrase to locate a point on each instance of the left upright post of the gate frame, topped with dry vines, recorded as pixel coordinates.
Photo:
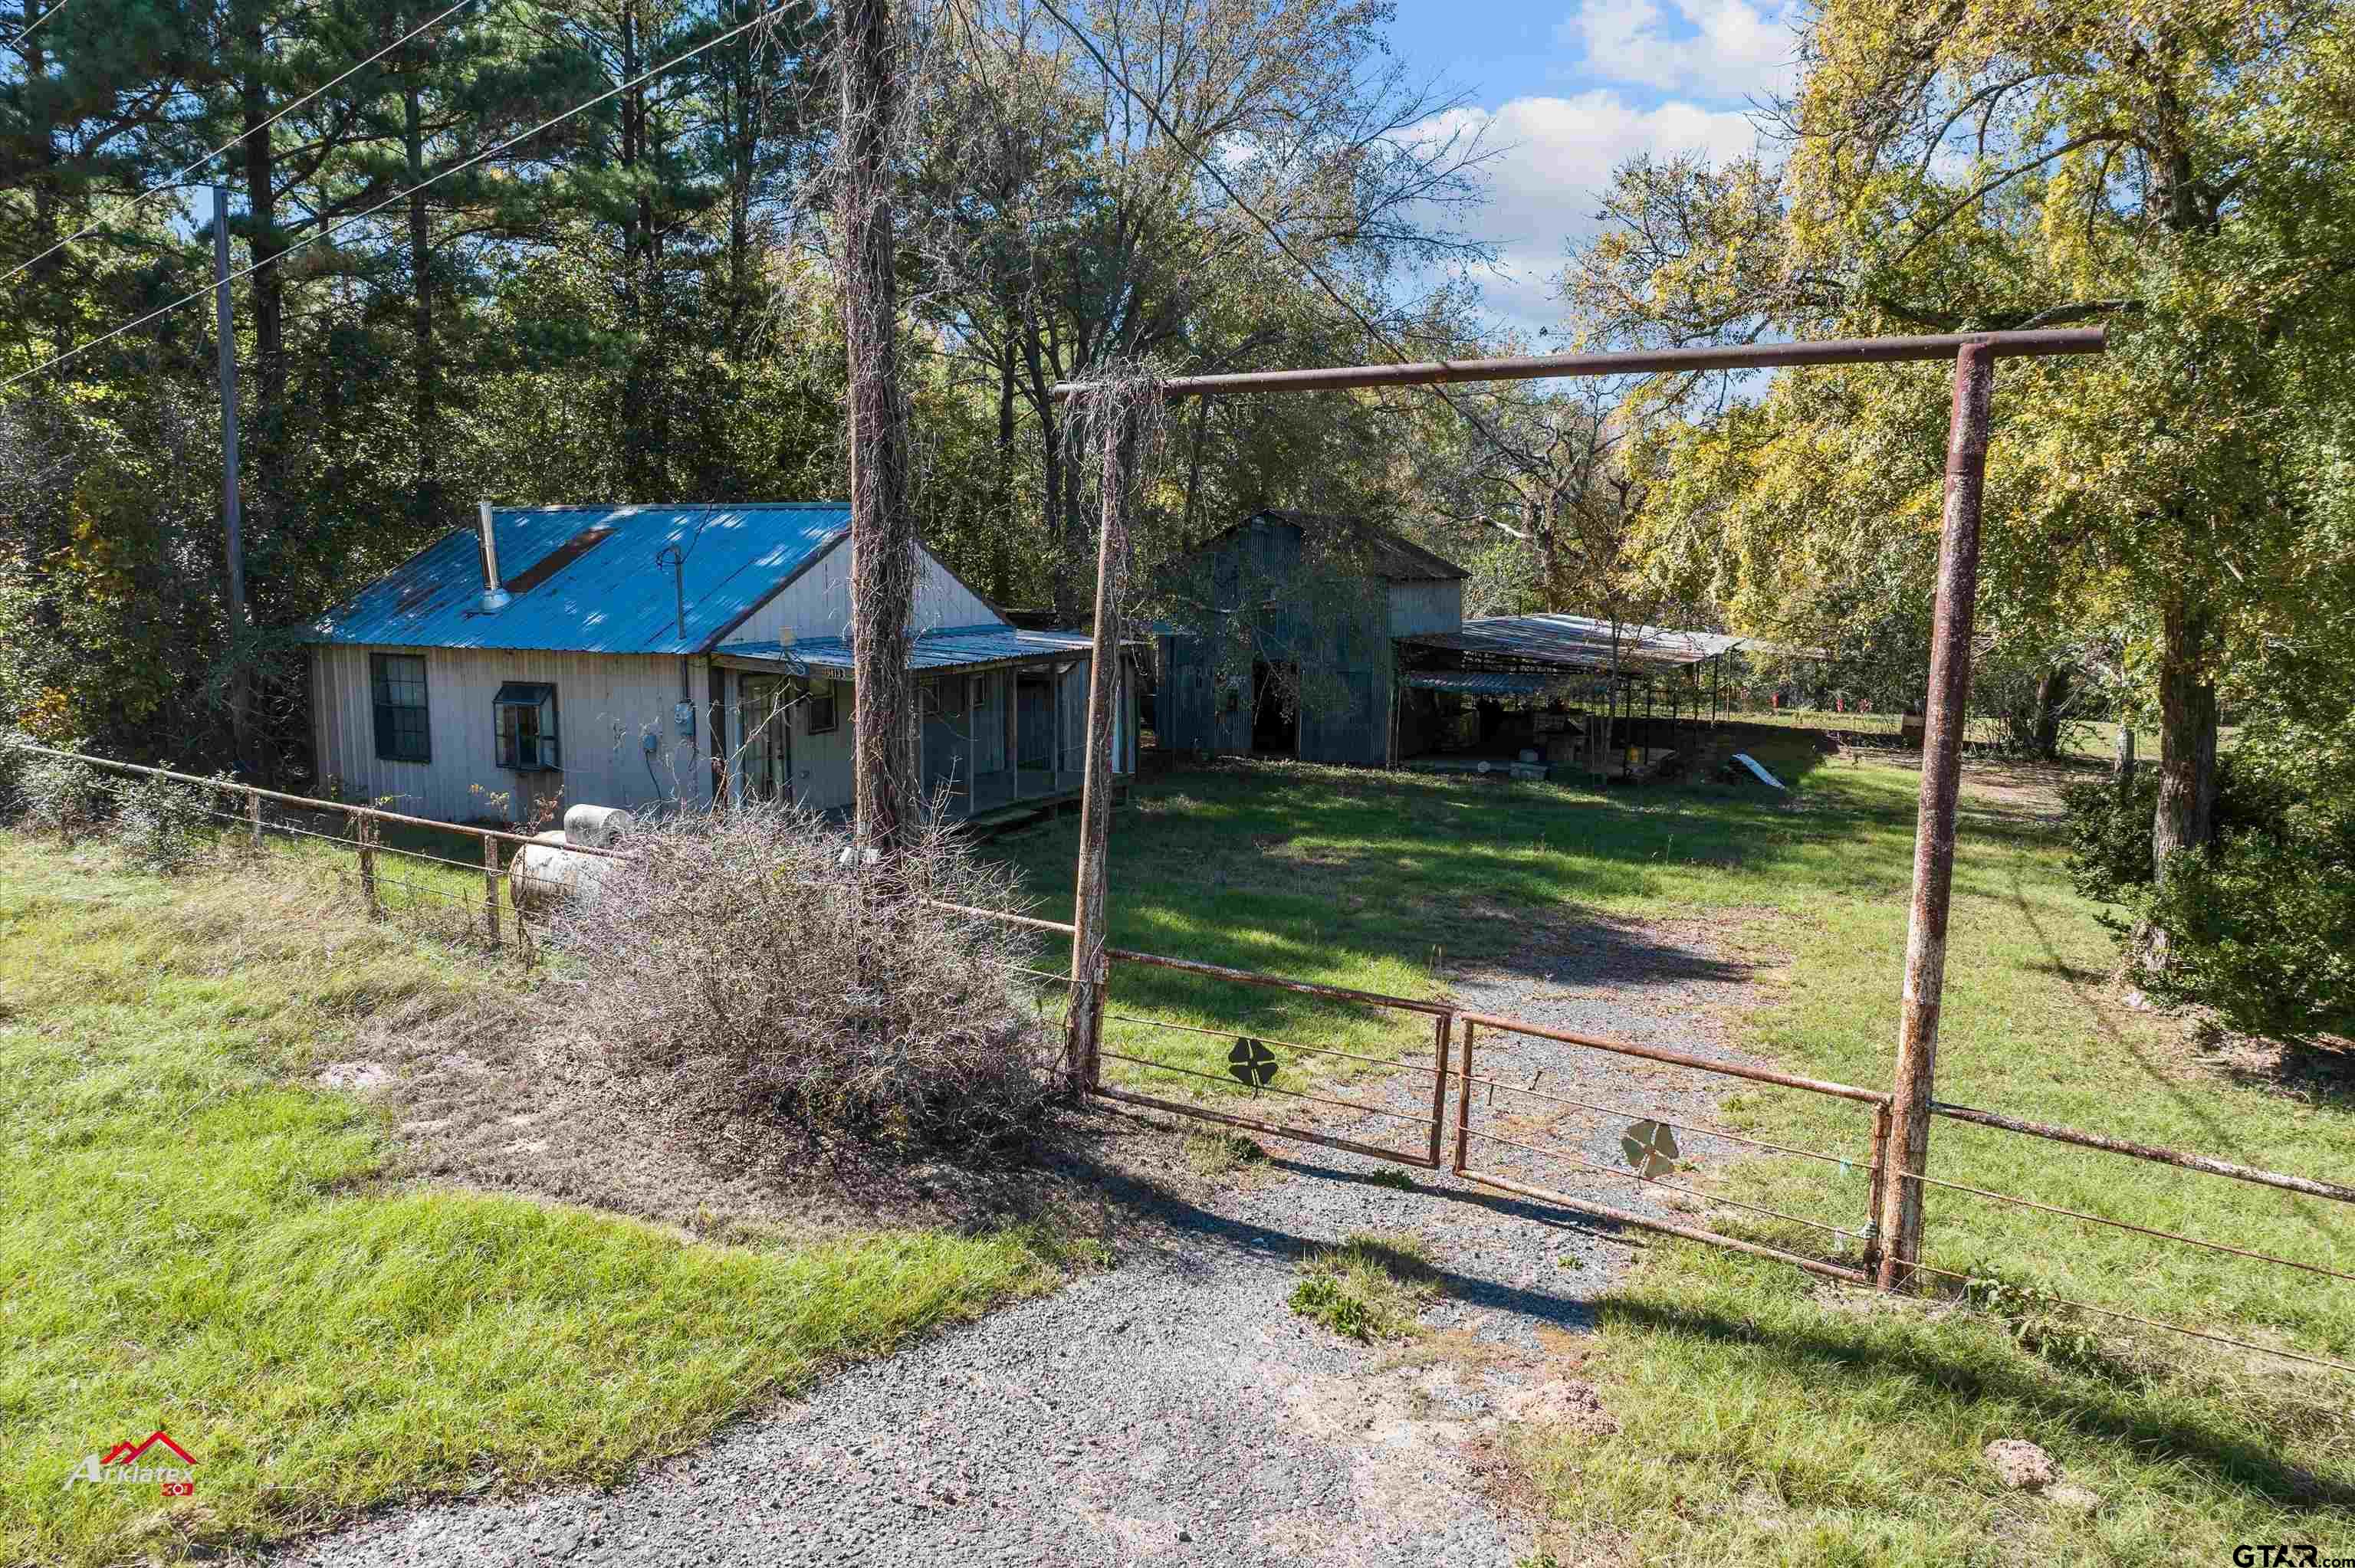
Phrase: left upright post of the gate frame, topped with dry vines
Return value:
(1089, 969)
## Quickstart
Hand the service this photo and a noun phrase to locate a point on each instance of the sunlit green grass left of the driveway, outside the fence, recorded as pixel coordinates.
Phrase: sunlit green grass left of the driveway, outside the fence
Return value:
(197, 1240)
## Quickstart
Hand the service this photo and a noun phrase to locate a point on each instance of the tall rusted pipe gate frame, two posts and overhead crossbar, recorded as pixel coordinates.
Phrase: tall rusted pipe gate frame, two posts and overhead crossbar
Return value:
(1899, 1221)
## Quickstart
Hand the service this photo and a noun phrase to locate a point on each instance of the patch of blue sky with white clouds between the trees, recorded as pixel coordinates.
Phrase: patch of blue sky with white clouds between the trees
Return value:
(1574, 88)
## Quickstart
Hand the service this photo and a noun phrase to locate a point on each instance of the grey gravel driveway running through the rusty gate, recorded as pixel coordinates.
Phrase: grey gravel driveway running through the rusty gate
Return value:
(1174, 1409)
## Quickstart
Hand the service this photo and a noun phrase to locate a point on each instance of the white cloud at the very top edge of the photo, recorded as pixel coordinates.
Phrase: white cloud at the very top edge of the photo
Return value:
(1711, 51)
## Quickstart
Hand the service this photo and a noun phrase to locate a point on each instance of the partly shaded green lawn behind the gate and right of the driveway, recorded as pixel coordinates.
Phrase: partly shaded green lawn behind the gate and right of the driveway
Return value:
(1767, 1418)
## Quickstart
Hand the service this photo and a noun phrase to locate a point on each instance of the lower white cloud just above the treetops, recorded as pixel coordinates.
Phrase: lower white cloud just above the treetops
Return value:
(1555, 164)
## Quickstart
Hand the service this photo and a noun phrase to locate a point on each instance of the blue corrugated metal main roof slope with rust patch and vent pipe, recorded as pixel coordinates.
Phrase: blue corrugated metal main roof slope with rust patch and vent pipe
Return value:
(611, 599)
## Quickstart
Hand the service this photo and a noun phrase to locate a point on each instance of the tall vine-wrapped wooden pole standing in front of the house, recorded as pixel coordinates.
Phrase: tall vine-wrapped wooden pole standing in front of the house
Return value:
(882, 533)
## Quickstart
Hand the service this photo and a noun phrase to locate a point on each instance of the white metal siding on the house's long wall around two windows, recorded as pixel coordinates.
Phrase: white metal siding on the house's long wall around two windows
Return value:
(604, 710)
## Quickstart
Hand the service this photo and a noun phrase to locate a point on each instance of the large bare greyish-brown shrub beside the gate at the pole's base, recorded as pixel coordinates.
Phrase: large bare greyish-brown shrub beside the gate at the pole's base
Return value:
(750, 966)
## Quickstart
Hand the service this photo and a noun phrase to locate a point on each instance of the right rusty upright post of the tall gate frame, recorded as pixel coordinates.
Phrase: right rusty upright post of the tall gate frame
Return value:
(1935, 823)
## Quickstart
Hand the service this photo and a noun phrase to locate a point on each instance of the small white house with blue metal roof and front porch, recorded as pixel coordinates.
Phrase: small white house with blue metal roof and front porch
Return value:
(682, 656)
